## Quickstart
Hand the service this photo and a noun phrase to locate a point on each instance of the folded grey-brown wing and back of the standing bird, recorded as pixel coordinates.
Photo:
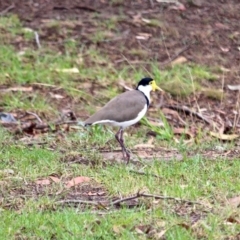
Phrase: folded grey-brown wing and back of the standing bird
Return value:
(124, 107)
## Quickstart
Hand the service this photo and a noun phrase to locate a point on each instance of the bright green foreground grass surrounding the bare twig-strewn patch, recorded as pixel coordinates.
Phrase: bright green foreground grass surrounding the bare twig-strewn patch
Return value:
(37, 218)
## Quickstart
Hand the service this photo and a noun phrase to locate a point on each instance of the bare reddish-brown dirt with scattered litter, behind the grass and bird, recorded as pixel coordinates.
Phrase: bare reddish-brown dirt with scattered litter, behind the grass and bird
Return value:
(204, 32)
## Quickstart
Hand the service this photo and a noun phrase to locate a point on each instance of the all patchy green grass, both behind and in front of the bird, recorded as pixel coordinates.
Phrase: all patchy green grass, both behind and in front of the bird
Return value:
(30, 211)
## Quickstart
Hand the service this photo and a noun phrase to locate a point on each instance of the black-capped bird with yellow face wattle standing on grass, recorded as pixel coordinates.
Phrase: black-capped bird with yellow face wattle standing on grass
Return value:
(125, 110)
